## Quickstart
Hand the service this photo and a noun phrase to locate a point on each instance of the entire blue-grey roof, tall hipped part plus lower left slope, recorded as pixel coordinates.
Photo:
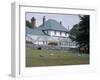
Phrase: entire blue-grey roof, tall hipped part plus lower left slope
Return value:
(49, 25)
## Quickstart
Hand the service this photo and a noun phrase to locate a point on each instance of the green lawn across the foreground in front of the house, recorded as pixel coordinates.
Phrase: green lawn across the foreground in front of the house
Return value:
(53, 58)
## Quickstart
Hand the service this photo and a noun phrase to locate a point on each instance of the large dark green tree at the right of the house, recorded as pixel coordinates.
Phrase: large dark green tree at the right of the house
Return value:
(80, 32)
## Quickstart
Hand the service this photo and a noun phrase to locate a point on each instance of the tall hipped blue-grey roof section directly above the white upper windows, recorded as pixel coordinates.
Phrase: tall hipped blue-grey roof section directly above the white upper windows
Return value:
(53, 25)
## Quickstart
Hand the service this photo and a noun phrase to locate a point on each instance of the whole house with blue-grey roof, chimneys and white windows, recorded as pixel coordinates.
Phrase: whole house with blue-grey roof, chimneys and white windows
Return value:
(50, 32)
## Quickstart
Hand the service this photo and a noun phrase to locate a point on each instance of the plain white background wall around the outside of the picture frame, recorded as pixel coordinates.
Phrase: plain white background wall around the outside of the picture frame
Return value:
(5, 40)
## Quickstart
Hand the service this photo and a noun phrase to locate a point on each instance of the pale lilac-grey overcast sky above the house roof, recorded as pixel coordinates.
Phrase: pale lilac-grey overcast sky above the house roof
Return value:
(67, 20)
